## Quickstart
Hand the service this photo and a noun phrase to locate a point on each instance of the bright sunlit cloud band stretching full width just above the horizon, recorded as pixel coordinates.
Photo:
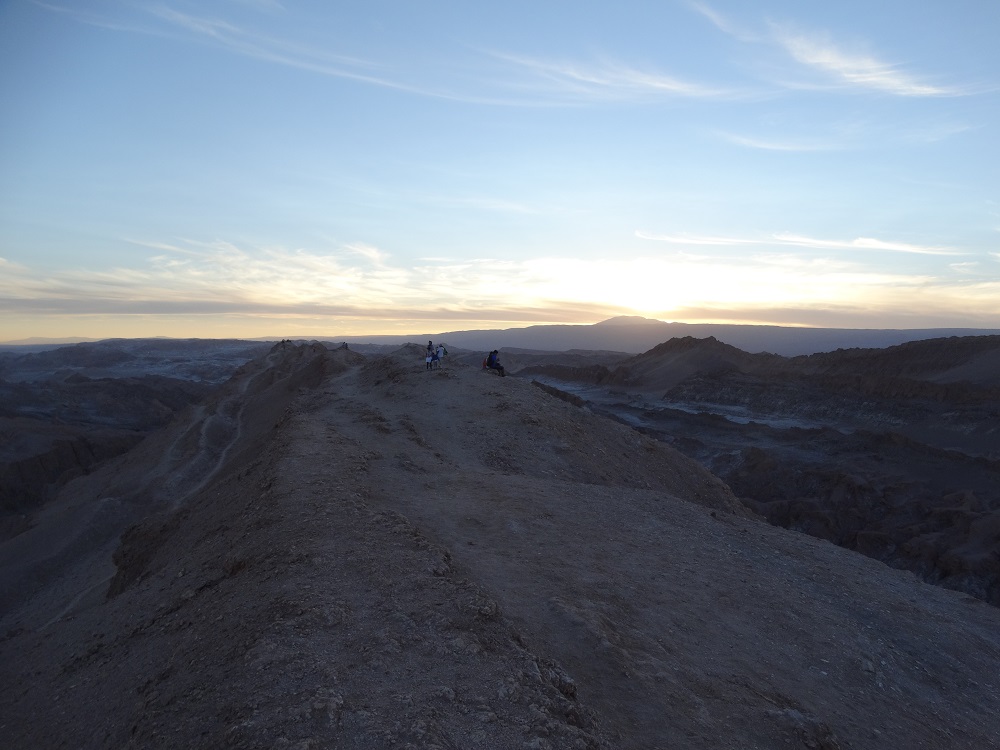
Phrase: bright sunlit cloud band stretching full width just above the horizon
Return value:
(360, 287)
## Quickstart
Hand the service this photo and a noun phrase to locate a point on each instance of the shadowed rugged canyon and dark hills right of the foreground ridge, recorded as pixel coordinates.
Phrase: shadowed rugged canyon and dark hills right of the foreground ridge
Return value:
(892, 452)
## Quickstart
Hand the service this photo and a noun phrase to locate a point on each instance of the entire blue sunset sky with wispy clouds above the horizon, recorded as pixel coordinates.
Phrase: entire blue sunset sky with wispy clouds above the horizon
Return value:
(255, 168)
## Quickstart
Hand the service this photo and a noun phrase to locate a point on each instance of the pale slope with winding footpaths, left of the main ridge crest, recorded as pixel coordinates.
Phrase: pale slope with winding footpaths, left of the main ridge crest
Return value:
(65, 559)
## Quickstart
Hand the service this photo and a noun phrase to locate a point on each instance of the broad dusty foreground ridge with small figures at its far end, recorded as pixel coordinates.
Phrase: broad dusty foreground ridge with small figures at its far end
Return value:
(340, 550)
